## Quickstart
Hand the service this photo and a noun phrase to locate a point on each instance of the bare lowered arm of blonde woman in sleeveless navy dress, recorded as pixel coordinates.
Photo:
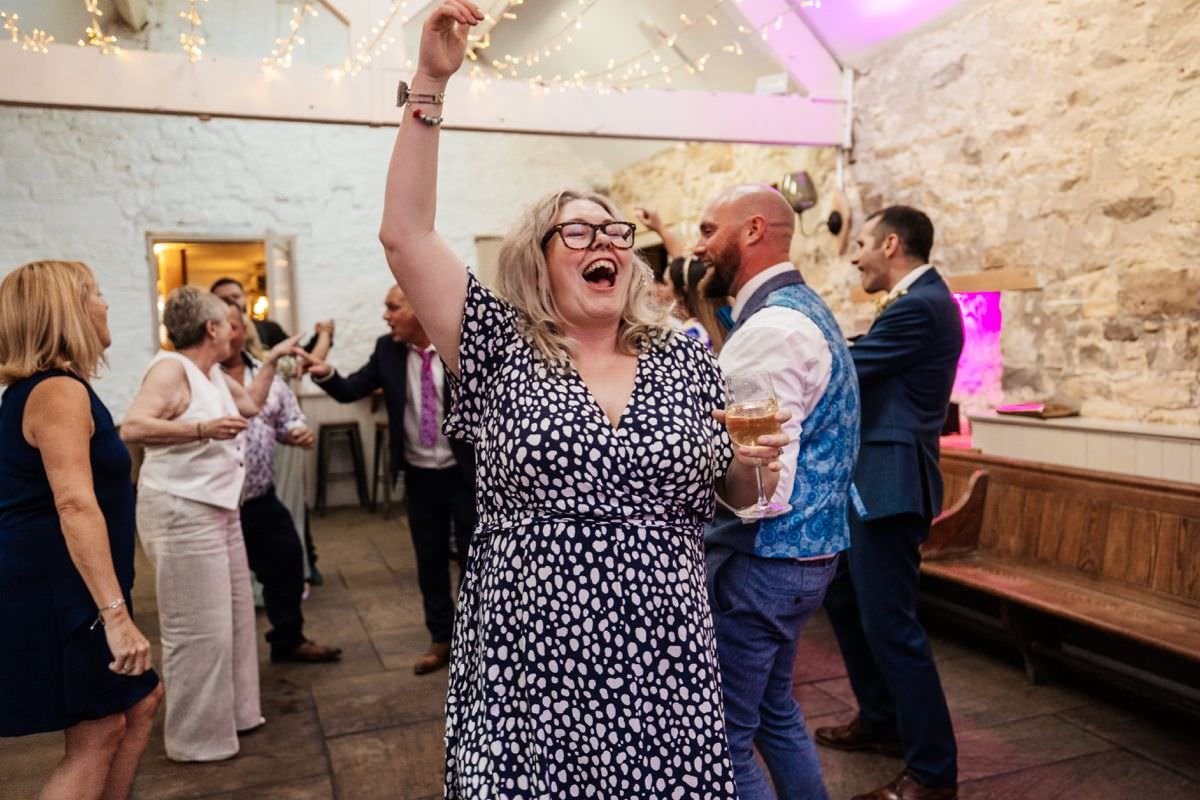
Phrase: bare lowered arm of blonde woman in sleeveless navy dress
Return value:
(58, 422)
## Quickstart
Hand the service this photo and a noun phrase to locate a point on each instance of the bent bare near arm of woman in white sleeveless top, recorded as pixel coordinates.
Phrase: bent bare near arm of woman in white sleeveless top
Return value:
(163, 398)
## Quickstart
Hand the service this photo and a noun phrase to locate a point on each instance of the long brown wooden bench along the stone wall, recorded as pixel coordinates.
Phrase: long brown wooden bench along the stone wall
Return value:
(1078, 568)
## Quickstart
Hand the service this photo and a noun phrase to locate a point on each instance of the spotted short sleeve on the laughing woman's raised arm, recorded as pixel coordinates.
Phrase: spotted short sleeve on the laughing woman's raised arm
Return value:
(489, 329)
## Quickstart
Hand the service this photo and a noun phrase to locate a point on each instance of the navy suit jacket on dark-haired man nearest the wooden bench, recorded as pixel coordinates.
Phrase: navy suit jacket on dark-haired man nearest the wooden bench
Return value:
(907, 365)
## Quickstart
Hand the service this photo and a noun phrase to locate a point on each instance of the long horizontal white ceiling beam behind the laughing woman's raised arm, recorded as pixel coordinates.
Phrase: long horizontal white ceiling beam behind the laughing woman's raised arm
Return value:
(139, 81)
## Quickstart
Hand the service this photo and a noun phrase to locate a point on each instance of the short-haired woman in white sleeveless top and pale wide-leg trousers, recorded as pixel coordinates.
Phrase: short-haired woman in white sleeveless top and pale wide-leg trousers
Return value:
(189, 416)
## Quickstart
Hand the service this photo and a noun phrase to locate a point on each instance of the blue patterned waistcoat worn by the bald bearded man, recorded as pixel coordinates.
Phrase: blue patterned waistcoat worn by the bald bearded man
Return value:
(818, 524)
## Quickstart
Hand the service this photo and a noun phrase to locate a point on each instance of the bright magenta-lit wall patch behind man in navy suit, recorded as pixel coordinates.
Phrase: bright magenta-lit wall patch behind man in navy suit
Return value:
(977, 386)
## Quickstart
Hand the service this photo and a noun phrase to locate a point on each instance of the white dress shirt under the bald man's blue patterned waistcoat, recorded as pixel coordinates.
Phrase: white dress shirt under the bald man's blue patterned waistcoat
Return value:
(790, 347)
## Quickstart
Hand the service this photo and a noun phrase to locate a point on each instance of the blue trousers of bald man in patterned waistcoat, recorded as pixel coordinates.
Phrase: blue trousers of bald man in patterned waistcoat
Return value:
(759, 609)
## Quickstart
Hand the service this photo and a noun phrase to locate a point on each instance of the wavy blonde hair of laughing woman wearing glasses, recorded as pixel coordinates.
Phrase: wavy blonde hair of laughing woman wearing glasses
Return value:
(524, 281)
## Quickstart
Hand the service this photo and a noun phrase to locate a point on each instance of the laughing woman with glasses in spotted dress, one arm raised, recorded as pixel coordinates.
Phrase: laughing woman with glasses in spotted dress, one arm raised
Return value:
(584, 663)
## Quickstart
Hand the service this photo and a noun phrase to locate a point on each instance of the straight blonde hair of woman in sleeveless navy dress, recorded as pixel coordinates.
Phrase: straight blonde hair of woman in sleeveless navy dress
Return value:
(45, 322)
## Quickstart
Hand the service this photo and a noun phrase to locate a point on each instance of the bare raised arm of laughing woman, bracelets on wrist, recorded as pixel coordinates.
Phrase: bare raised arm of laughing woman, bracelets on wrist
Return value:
(424, 266)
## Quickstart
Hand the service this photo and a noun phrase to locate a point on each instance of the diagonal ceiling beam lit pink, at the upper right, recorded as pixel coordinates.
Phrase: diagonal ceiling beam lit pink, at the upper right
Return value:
(797, 49)
